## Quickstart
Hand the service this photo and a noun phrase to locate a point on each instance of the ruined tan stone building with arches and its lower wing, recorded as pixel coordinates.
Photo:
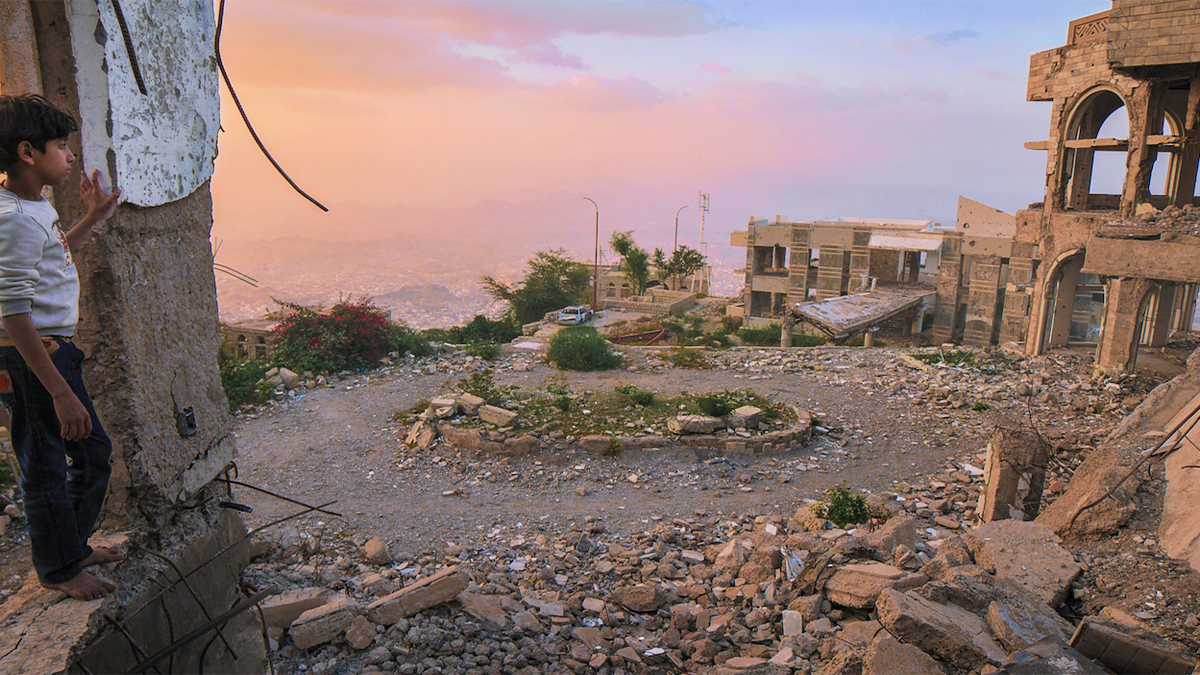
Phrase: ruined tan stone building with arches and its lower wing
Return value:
(1108, 272)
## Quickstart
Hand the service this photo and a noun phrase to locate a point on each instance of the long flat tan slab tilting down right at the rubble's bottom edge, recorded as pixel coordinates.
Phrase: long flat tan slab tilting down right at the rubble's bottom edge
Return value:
(947, 631)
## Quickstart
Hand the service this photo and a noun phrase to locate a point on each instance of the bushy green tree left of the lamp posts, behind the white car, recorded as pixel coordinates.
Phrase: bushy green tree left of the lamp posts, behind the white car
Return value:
(554, 282)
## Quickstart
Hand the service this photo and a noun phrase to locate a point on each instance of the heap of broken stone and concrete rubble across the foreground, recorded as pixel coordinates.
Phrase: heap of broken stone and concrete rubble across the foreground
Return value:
(705, 594)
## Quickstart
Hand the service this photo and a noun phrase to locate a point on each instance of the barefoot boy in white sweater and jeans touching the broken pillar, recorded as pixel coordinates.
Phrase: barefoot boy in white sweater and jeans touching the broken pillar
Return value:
(61, 445)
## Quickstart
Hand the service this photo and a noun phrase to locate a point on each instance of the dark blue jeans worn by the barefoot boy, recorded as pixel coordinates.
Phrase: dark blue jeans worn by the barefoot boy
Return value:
(64, 482)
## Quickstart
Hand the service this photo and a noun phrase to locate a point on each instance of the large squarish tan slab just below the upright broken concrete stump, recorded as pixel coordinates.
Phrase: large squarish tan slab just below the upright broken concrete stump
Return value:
(1029, 554)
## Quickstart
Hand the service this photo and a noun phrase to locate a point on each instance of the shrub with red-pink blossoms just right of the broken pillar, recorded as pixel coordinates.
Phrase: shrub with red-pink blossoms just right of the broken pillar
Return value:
(352, 336)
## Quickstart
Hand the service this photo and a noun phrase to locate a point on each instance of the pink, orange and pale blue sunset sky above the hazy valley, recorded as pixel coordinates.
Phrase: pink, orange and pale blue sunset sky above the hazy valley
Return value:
(807, 110)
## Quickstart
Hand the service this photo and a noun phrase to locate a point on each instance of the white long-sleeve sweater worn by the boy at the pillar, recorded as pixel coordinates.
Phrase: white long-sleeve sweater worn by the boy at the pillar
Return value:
(37, 273)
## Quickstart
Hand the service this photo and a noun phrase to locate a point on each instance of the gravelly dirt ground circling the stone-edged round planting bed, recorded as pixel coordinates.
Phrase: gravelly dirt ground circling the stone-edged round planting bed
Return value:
(340, 445)
